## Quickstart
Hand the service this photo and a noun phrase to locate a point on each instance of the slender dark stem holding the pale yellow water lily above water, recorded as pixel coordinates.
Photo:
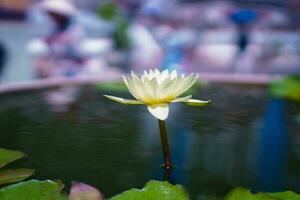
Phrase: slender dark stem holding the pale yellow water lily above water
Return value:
(165, 145)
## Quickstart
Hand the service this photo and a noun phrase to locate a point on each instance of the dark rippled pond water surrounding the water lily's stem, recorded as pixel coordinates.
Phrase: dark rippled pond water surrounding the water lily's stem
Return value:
(244, 138)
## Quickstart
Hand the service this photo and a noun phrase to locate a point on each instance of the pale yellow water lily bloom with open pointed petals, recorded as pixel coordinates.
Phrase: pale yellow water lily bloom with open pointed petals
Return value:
(157, 90)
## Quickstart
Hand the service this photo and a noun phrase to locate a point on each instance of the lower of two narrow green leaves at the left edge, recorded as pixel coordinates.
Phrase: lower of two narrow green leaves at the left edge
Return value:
(14, 175)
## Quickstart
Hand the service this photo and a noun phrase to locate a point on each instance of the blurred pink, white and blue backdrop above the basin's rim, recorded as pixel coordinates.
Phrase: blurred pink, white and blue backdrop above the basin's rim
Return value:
(42, 39)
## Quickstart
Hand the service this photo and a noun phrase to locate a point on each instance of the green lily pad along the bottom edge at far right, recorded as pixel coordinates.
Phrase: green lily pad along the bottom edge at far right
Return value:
(244, 194)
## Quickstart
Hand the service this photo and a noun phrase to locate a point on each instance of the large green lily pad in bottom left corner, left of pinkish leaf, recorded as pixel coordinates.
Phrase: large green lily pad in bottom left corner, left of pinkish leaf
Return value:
(32, 190)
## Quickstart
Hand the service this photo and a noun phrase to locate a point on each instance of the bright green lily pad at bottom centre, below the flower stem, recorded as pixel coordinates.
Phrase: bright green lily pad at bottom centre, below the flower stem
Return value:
(154, 190)
